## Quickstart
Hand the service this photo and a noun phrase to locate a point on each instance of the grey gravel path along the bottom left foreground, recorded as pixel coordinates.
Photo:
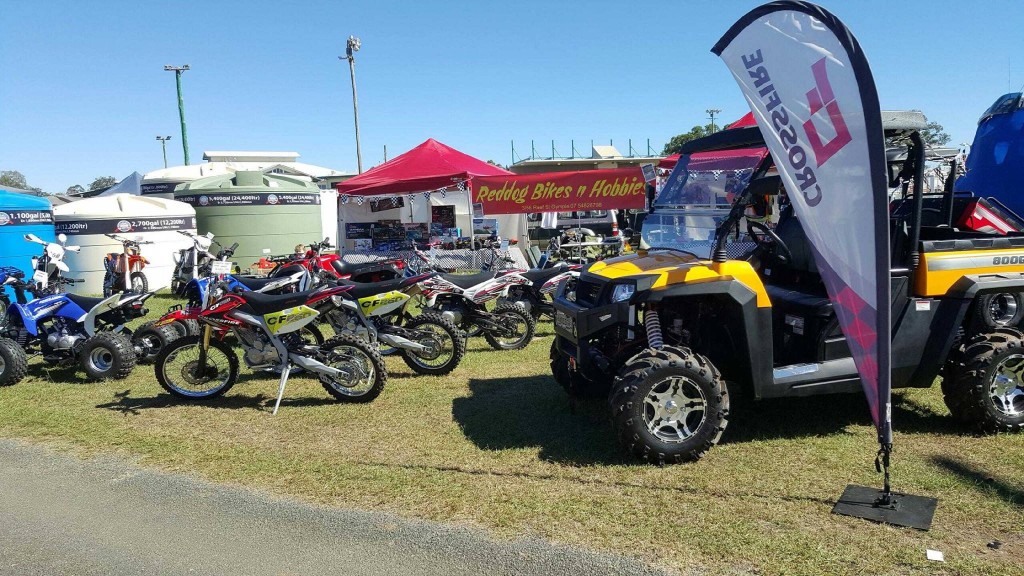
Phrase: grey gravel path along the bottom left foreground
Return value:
(64, 516)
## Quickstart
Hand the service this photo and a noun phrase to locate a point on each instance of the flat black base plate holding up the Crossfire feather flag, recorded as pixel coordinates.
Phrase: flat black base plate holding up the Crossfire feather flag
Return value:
(900, 510)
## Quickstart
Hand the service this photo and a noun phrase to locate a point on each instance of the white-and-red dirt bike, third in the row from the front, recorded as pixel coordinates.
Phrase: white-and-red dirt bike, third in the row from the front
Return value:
(462, 300)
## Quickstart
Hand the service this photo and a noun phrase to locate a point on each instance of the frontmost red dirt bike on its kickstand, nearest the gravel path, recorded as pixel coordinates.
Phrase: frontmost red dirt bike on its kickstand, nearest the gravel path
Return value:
(268, 331)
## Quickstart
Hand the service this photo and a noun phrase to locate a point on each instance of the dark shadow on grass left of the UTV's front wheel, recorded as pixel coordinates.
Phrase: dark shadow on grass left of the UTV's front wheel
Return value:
(533, 413)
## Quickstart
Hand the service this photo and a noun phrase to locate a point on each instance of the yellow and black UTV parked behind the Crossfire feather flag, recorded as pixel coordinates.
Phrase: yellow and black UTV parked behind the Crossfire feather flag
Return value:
(726, 301)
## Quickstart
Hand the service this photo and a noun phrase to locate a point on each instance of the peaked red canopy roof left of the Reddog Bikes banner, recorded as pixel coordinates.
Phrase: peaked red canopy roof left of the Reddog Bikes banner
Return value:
(430, 167)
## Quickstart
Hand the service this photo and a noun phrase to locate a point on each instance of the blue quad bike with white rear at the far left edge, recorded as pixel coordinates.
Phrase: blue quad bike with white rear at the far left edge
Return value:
(67, 330)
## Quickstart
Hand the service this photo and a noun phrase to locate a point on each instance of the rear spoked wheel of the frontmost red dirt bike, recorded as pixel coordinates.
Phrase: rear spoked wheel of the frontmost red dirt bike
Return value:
(363, 374)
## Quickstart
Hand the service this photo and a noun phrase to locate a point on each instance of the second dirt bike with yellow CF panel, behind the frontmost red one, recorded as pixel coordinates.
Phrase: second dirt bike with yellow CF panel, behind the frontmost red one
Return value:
(430, 343)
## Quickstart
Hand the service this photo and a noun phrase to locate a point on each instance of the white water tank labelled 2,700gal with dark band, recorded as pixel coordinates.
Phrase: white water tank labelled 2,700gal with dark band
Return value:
(153, 220)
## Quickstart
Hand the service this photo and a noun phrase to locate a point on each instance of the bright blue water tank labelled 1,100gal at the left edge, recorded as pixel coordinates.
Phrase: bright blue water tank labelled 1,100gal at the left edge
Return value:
(21, 215)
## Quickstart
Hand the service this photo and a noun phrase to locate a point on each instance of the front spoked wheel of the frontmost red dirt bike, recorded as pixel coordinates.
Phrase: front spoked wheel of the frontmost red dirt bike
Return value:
(179, 369)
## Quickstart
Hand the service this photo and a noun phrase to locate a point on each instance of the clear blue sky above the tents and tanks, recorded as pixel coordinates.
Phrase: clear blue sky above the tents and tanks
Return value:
(83, 93)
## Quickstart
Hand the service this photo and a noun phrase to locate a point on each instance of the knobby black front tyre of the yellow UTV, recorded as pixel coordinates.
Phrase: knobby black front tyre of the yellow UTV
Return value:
(654, 371)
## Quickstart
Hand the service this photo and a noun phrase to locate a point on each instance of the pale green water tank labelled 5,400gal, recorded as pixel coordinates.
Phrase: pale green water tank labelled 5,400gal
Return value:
(258, 211)
